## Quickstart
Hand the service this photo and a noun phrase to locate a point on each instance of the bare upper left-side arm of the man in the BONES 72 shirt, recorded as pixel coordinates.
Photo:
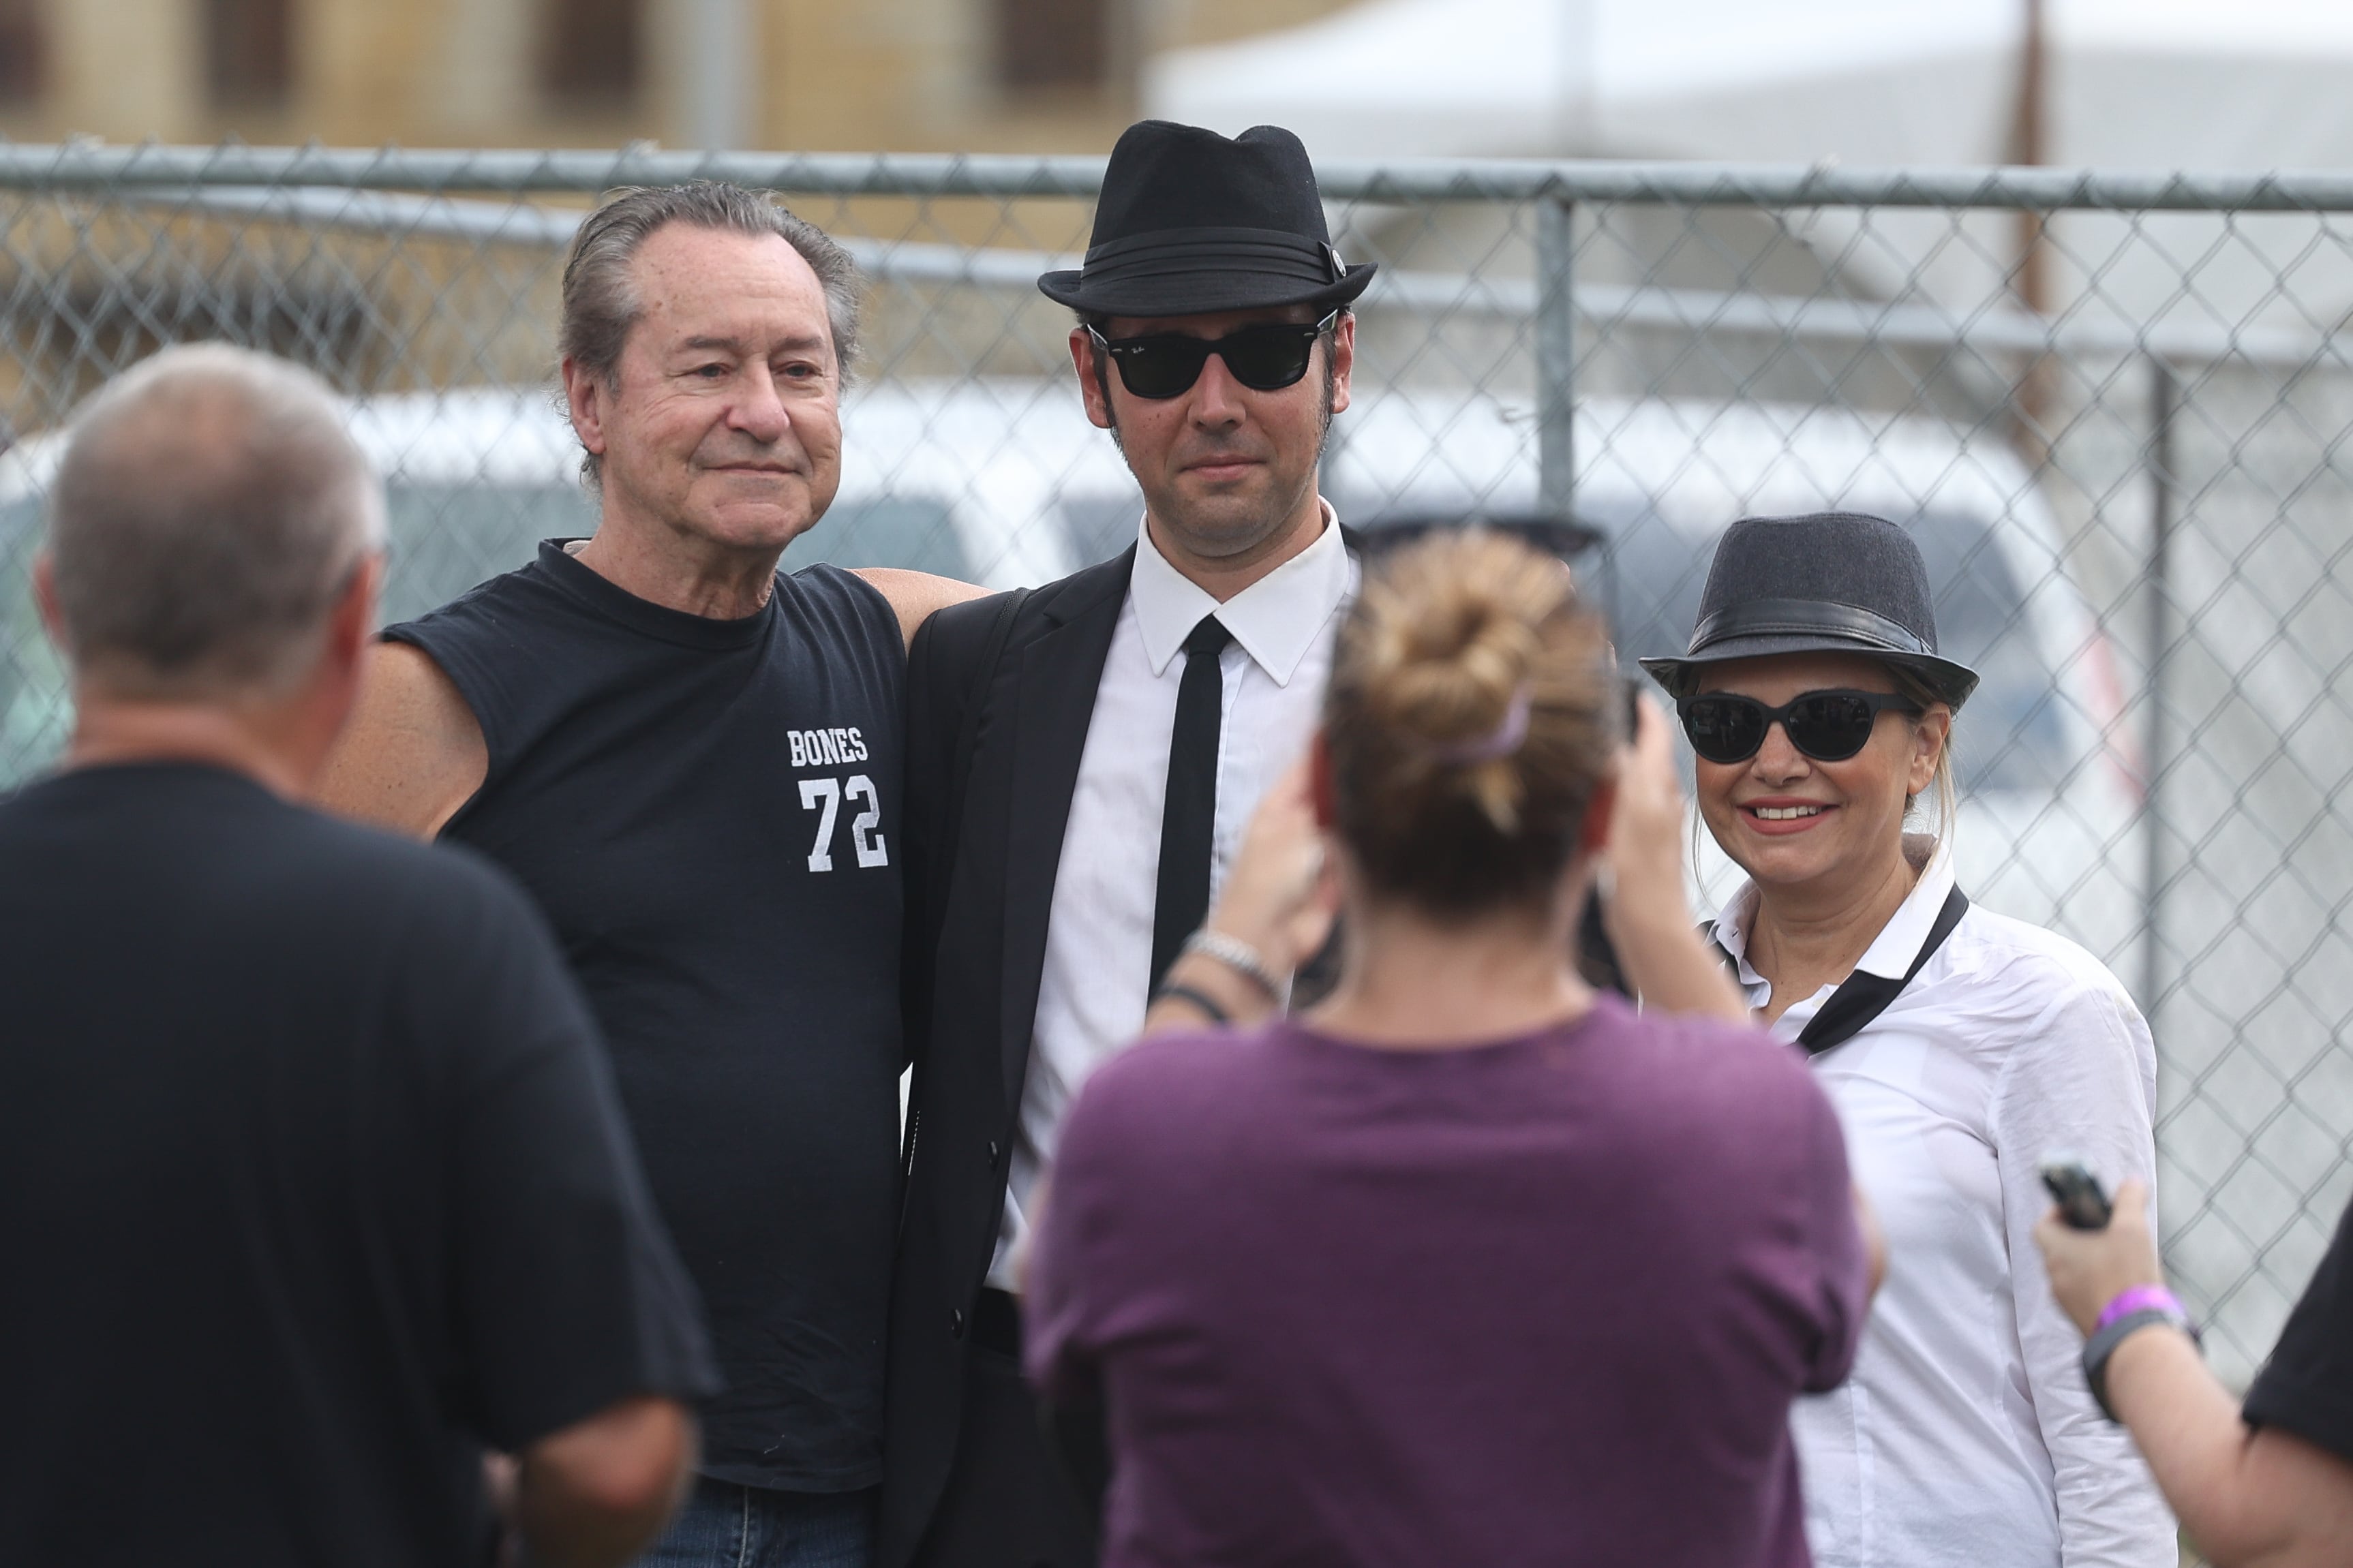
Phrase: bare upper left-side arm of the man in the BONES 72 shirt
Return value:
(413, 751)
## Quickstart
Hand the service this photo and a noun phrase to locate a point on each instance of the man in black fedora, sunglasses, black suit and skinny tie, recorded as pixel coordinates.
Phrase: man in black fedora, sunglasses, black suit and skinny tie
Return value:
(1081, 765)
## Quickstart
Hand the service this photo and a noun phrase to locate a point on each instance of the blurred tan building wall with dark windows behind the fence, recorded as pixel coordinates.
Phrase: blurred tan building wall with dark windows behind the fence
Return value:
(808, 74)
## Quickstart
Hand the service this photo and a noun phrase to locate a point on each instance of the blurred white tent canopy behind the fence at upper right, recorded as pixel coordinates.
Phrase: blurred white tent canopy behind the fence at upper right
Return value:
(1869, 83)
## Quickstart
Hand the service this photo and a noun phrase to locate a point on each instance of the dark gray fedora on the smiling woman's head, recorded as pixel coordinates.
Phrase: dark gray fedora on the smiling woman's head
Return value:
(1820, 584)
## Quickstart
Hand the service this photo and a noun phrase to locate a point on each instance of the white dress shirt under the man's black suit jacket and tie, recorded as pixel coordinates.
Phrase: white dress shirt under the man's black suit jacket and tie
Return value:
(1100, 934)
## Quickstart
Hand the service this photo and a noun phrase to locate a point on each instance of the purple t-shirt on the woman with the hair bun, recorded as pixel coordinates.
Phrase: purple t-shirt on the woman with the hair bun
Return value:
(1542, 1301)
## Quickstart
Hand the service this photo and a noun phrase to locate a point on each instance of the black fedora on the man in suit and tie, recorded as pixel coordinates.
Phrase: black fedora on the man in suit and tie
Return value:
(1192, 222)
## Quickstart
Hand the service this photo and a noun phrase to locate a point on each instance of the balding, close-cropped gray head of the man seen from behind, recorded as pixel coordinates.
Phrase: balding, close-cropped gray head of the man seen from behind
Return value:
(206, 518)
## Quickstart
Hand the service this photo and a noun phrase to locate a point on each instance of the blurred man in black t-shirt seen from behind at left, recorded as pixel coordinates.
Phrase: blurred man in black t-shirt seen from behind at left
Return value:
(312, 1177)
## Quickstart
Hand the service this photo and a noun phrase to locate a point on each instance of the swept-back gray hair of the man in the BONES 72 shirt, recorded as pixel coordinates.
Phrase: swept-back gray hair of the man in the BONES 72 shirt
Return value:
(601, 297)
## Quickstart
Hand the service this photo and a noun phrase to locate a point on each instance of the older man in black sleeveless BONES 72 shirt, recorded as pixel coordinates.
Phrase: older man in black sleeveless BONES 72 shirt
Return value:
(693, 763)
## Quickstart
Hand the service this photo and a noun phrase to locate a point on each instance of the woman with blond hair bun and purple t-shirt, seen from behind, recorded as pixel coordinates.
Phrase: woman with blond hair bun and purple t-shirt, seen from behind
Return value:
(1469, 1264)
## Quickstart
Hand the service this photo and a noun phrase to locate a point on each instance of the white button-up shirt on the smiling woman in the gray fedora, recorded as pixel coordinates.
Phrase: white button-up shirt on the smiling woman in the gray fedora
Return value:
(1966, 1435)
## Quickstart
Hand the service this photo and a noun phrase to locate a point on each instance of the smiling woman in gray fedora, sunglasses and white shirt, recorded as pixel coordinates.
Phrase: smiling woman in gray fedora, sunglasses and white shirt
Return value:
(1959, 1047)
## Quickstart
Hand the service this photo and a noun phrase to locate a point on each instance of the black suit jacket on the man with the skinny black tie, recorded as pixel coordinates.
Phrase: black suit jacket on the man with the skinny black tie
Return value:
(992, 763)
